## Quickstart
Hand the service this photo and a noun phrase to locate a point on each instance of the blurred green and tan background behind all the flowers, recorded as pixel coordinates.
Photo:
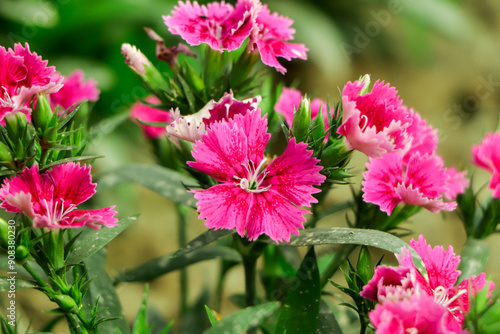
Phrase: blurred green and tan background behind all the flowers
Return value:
(441, 55)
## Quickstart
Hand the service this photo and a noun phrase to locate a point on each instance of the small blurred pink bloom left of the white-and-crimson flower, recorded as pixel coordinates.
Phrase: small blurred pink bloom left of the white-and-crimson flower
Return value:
(147, 113)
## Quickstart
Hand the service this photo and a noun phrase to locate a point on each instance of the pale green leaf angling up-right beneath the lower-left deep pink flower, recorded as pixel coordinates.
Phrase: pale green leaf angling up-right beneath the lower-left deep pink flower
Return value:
(93, 241)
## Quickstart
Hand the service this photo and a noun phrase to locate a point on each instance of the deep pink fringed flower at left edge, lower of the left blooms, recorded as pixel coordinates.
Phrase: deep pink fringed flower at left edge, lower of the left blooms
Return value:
(51, 199)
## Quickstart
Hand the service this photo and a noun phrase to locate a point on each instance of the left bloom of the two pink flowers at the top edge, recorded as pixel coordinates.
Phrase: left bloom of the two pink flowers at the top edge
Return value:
(220, 25)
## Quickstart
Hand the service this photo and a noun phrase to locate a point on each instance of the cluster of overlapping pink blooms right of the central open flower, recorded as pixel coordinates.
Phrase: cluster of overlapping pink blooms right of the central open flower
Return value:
(403, 166)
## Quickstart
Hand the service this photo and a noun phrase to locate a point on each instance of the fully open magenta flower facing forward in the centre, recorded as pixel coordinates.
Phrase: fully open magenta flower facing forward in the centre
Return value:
(254, 197)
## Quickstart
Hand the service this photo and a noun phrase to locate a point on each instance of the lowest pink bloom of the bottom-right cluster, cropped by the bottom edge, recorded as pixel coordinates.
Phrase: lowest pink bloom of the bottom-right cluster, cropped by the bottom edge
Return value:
(418, 314)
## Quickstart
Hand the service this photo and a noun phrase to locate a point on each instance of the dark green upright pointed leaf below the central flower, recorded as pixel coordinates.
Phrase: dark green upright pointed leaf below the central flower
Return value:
(301, 309)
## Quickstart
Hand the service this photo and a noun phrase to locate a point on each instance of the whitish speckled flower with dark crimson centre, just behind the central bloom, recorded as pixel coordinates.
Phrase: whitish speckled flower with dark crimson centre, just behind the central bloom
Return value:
(192, 127)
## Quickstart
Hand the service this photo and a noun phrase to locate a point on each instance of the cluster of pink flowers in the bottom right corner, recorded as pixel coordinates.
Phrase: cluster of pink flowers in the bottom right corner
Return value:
(411, 302)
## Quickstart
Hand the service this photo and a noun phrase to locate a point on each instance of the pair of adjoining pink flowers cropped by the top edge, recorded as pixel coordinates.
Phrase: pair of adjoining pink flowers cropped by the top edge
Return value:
(225, 27)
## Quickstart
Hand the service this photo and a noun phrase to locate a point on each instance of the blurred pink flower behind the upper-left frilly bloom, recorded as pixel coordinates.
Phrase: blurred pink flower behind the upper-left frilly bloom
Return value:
(75, 90)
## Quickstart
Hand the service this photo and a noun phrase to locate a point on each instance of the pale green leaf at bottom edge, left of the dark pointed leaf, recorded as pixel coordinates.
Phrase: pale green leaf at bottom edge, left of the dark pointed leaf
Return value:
(244, 319)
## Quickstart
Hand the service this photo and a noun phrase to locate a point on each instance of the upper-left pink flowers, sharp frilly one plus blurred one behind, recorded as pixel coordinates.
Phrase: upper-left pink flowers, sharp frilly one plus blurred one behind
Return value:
(24, 75)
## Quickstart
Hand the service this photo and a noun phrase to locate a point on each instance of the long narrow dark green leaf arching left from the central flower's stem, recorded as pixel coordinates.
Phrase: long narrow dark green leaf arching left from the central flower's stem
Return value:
(167, 263)
